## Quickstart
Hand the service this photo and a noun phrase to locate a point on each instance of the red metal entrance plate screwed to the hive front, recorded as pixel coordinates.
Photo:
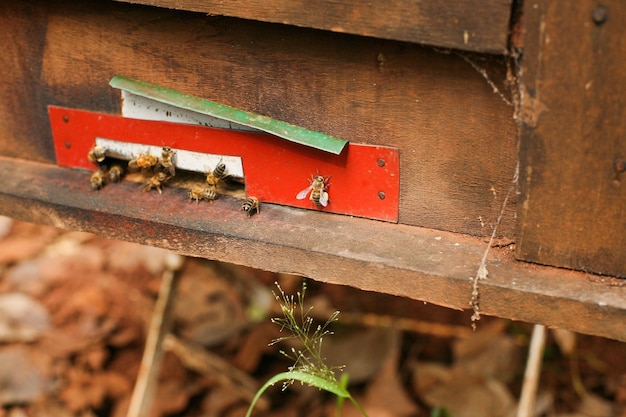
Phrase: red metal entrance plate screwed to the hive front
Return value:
(364, 180)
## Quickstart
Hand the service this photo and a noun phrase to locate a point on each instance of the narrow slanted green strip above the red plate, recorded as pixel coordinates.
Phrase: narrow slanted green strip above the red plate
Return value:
(284, 130)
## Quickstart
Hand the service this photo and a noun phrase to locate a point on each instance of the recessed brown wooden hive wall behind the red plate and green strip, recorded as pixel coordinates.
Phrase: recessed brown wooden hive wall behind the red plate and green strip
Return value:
(457, 138)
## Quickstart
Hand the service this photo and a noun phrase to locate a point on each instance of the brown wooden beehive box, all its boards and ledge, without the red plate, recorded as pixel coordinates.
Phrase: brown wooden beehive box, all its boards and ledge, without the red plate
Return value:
(507, 117)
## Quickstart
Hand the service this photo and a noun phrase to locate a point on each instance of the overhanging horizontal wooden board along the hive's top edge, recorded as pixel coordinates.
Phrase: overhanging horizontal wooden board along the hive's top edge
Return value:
(471, 25)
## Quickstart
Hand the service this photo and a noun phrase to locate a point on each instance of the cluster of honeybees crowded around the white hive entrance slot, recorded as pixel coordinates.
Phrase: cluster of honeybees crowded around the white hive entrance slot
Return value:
(154, 172)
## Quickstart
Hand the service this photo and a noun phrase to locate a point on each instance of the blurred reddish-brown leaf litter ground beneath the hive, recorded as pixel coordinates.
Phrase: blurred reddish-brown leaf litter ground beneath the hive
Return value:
(75, 309)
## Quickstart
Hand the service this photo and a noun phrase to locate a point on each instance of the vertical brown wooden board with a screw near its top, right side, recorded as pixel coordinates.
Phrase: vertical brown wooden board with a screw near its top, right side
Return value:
(573, 208)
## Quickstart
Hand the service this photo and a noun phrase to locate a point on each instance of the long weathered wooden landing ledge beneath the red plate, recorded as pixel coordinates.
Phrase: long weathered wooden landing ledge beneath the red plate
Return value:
(408, 261)
